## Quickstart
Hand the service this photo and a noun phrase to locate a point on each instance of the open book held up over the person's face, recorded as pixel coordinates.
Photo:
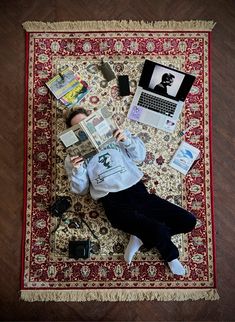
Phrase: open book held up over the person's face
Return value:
(90, 135)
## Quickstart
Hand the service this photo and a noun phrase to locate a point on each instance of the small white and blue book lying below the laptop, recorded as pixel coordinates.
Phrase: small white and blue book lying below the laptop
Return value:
(184, 157)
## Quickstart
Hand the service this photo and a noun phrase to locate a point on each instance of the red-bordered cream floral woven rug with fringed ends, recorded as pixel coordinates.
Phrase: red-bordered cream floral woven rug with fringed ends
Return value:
(48, 274)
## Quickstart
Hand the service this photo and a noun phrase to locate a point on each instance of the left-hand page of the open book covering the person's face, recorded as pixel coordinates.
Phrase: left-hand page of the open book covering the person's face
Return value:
(77, 142)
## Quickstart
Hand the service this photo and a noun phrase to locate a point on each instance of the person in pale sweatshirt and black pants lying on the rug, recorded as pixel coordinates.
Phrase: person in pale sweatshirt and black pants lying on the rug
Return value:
(113, 177)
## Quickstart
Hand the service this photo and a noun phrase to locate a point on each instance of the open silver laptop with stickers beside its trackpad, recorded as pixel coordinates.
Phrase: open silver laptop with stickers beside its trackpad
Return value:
(160, 95)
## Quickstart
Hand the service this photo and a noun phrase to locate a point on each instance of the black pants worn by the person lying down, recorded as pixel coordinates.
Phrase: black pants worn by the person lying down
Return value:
(149, 217)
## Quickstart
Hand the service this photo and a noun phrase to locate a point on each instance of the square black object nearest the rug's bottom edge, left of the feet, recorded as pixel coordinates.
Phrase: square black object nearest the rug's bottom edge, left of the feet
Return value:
(79, 249)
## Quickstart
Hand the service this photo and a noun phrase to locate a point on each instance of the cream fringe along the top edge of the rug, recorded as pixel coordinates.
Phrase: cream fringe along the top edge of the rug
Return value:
(115, 25)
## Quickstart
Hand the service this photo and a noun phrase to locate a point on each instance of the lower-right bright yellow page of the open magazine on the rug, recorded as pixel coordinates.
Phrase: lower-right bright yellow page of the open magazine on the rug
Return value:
(73, 97)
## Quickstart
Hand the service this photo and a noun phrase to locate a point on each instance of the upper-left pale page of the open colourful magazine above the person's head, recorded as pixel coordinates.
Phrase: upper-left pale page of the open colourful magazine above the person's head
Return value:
(62, 83)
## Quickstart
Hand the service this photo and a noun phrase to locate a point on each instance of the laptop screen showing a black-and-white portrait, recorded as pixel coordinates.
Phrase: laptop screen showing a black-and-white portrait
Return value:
(165, 81)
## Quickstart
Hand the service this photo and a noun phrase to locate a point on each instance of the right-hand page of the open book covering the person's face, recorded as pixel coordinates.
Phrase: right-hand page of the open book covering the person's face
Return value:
(100, 127)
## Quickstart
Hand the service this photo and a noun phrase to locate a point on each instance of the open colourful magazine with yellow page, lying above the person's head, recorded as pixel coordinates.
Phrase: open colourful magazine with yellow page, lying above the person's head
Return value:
(68, 87)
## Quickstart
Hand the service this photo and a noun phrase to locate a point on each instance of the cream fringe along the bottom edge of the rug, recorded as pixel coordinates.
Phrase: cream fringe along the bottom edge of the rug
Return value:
(118, 295)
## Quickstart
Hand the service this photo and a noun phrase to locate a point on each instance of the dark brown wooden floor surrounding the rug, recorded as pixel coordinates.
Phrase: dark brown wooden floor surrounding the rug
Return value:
(12, 14)
